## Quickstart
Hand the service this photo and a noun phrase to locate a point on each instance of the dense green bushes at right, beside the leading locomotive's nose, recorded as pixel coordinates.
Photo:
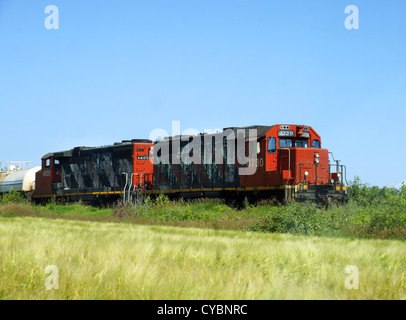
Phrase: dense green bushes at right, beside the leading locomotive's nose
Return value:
(372, 212)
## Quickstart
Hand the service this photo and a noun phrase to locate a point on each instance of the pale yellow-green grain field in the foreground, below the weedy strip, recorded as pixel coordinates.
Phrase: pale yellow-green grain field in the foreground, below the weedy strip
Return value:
(107, 260)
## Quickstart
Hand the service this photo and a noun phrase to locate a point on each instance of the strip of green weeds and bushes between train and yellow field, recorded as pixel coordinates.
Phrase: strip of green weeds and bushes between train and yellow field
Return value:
(371, 213)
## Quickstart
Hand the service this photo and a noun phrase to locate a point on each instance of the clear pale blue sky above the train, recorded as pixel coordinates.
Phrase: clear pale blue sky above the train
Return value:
(117, 70)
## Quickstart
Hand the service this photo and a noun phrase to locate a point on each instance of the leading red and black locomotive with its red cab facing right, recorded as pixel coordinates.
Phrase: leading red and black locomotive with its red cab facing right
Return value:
(288, 163)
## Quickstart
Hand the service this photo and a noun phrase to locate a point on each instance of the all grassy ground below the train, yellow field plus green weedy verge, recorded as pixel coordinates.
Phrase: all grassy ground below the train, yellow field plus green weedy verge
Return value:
(205, 249)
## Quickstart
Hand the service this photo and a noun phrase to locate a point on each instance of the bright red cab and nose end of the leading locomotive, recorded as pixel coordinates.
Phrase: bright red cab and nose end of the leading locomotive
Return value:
(295, 158)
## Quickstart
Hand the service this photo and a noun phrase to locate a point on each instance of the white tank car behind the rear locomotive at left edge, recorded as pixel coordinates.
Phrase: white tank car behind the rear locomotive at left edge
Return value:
(18, 179)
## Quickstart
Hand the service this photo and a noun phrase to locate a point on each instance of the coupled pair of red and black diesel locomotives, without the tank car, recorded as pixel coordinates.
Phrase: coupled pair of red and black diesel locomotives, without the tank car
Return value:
(282, 162)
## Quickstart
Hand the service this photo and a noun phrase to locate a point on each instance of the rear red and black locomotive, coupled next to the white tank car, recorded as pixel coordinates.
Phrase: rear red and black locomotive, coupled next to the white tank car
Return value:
(95, 174)
